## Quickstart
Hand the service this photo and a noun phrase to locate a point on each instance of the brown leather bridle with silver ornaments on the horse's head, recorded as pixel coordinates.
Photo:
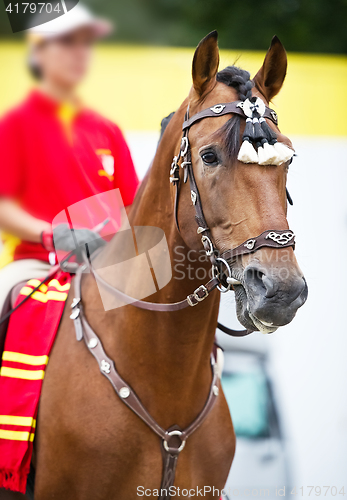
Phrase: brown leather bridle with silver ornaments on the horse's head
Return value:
(269, 238)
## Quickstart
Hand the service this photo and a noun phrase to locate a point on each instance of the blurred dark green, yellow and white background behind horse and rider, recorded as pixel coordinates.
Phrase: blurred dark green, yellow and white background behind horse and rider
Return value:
(286, 391)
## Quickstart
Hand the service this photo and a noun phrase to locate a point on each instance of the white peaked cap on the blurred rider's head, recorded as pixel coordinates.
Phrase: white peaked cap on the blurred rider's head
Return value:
(74, 19)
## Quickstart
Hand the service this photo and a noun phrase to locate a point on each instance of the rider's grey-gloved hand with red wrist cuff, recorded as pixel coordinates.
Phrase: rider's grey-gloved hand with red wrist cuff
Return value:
(66, 239)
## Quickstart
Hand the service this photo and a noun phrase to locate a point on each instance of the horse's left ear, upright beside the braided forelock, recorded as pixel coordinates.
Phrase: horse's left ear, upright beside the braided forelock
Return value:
(205, 63)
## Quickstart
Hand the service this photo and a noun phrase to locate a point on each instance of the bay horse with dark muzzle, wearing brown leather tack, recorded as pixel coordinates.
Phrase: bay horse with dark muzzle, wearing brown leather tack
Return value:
(89, 445)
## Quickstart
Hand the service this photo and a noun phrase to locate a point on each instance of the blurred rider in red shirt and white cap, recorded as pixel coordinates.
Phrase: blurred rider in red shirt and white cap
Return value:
(54, 151)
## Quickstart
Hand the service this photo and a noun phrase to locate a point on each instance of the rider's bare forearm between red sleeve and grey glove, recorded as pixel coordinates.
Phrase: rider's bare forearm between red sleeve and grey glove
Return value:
(14, 220)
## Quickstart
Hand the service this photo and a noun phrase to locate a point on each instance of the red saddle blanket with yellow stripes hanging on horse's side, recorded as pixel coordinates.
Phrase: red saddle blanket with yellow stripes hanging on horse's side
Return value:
(31, 333)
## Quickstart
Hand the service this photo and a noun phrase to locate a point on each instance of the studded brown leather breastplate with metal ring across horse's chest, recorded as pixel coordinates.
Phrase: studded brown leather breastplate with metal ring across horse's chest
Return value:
(173, 439)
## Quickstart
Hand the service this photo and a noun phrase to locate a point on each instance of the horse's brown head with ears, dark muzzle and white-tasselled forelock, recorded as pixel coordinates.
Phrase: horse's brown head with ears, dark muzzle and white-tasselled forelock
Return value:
(243, 198)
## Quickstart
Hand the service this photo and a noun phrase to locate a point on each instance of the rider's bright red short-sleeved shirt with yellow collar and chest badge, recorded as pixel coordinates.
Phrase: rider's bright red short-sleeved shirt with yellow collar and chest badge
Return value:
(49, 162)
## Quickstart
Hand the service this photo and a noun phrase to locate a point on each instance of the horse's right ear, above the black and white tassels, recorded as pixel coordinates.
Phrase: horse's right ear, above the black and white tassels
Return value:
(271, 75)
